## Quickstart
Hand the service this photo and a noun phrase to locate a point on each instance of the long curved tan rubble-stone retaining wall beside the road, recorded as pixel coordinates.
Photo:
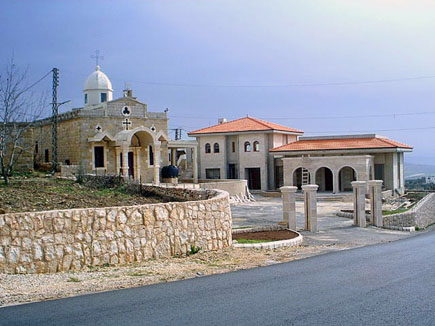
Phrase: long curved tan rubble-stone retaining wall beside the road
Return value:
(74, 239)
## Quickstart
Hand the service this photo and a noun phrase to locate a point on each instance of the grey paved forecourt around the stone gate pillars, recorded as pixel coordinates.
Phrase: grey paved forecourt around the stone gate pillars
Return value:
(332, 229)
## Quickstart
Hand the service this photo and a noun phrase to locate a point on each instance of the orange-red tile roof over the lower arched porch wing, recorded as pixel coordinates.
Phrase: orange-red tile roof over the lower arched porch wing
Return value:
(337, 144)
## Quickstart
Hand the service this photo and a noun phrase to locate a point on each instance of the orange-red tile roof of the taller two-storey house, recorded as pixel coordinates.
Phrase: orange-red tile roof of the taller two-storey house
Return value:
(244, 124)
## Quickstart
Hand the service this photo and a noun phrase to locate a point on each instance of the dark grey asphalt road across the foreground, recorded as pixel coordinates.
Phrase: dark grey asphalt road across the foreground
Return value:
(387, 284)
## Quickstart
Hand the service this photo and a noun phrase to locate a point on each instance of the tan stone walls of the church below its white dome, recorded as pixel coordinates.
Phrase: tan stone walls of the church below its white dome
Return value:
(80, 131)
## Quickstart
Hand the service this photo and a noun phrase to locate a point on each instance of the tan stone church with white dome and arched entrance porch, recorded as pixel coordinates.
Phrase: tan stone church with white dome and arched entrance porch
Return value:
(113, 136)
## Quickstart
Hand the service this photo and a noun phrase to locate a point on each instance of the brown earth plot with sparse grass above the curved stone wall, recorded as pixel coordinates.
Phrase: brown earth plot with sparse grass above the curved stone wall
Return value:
(38, 194)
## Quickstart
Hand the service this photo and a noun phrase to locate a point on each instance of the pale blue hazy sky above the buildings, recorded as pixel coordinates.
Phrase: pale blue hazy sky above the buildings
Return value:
(324, 66)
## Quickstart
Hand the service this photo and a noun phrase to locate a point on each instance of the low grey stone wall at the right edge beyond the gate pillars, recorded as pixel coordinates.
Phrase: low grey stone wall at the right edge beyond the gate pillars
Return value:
(421, 215)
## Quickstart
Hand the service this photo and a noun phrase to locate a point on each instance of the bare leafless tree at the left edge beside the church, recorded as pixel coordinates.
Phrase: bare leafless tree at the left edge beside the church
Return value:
(19, 109)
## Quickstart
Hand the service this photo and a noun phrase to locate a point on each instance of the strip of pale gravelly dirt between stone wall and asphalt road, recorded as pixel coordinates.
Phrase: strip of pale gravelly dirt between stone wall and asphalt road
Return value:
(17, 289)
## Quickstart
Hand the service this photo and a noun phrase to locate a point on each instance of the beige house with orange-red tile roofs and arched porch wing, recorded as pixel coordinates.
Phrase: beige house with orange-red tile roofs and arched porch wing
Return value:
(269, 156)
